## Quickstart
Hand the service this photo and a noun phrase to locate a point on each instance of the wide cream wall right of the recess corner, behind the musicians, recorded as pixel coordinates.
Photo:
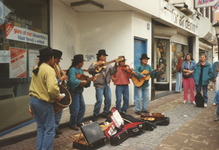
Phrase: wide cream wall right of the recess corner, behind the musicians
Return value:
(104, 30)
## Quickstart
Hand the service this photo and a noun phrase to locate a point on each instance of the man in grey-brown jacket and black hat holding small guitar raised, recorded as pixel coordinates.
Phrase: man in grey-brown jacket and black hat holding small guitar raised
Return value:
(102, 84)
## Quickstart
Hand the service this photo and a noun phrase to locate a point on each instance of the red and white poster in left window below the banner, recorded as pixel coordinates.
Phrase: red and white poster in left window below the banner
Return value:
(18, 63)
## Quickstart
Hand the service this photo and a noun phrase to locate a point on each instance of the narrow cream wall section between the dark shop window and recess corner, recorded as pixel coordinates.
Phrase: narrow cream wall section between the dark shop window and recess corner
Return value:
(64, 31)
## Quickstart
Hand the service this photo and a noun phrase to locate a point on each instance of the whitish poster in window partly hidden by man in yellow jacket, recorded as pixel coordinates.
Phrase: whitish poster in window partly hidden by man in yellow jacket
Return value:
(33, 60)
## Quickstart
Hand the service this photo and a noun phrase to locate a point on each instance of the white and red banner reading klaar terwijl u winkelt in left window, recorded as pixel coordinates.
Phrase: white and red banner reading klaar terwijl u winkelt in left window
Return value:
(25, 35)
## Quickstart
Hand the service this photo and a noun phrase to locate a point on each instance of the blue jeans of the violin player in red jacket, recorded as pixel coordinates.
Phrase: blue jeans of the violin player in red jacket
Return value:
(122, 89)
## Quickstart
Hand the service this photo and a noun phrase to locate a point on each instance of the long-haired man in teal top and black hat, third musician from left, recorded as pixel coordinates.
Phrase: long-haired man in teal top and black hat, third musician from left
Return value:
(76, 88)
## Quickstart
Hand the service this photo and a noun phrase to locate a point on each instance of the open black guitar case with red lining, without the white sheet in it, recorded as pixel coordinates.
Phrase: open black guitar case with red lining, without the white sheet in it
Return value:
(132, 127)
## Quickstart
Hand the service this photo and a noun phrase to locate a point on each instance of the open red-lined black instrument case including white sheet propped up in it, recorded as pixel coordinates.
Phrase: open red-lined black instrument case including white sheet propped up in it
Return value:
(123, 127)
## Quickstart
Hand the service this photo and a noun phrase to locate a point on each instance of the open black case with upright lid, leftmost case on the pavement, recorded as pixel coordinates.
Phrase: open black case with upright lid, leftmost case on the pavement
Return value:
(93, 135)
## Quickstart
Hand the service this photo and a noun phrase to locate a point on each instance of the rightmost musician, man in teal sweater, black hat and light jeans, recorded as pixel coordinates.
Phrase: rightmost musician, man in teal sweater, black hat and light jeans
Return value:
(144, 88)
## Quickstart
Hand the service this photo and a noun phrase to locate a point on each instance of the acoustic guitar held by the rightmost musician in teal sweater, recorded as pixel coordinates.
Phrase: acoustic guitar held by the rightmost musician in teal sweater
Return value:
(138, 82)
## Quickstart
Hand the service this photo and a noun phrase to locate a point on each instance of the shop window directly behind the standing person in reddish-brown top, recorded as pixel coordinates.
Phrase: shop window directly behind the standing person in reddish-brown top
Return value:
(177, 50)
